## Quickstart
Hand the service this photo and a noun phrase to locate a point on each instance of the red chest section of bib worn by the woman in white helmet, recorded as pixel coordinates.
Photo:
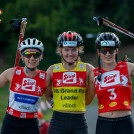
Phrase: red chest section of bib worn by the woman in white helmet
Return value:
(31, 86)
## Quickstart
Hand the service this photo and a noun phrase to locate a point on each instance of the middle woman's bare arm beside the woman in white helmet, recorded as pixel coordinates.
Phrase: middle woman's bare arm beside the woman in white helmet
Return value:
(48, 92)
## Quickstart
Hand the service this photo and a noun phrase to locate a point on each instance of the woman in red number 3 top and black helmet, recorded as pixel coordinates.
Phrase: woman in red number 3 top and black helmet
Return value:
(113, 84)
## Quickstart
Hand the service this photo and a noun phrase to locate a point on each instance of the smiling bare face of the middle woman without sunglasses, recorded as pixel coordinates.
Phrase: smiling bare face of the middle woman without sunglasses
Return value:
(70, 54)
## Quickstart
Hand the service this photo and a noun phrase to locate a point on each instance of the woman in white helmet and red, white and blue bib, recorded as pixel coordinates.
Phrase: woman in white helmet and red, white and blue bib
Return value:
(27, 85)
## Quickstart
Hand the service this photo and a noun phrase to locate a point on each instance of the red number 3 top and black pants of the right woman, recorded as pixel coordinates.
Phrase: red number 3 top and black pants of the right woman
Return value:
(114, 93)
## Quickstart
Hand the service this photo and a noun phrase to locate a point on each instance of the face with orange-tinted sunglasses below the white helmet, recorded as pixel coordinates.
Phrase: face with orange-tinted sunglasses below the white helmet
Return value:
(31, 57)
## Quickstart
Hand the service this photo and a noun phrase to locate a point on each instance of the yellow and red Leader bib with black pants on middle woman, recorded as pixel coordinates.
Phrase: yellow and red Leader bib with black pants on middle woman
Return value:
(69, 96)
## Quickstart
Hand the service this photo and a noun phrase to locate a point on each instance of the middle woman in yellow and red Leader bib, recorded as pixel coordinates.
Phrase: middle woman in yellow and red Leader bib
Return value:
(69, 87)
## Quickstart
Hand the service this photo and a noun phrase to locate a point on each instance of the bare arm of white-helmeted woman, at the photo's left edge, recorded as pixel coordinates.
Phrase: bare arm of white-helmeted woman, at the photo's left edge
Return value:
(6, 76)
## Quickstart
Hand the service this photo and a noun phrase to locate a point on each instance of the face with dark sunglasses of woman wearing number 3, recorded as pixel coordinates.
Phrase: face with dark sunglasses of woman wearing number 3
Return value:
(107, 55)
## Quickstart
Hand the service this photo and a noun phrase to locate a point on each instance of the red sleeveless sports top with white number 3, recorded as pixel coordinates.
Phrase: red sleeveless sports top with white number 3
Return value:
(114, 90)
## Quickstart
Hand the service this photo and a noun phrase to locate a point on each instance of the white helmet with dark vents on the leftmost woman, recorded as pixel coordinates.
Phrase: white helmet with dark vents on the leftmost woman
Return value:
(31, 43)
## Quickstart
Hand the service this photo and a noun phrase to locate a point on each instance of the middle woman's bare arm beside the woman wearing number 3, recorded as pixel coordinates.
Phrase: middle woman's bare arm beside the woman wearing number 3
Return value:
(90, 91)
